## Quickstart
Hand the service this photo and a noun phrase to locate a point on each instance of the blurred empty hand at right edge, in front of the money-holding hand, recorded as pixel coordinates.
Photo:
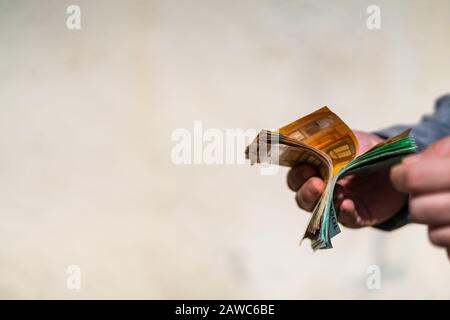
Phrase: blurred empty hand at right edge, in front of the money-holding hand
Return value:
(426, 177)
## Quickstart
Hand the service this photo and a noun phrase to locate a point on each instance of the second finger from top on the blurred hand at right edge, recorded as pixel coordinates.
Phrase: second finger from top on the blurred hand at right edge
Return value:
(432, 209)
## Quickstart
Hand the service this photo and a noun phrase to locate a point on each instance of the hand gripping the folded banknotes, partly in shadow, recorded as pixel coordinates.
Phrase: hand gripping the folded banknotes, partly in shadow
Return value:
(360, 200)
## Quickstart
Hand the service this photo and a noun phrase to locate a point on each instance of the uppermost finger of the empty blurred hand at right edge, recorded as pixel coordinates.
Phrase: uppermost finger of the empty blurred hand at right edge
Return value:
(421, 174)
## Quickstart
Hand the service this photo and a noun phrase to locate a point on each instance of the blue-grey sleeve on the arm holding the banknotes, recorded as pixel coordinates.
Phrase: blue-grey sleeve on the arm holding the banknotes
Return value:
(427, 131)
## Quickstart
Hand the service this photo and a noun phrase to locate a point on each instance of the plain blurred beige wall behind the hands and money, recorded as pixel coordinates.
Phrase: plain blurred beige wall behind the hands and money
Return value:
(86, 118)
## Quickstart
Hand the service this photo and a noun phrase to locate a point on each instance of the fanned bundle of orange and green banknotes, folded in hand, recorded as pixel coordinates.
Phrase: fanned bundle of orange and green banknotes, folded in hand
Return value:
(323, 140)
